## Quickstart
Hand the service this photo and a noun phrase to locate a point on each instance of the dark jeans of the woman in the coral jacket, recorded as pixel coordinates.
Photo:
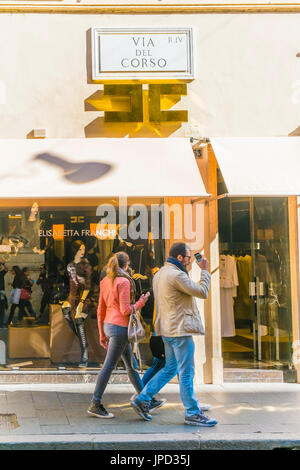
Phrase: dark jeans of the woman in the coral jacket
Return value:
(118, 347)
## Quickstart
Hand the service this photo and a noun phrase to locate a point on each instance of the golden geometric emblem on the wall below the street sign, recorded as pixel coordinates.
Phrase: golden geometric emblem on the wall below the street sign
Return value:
(136, 110)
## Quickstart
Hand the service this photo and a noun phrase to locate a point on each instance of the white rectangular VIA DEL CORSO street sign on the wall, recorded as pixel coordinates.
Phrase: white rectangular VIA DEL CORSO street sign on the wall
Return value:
(142, 53)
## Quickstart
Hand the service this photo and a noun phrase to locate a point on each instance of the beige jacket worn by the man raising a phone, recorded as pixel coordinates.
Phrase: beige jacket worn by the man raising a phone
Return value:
(174, 294)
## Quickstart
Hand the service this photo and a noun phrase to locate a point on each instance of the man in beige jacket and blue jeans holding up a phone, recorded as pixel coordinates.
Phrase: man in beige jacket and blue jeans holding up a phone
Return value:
(174, 294)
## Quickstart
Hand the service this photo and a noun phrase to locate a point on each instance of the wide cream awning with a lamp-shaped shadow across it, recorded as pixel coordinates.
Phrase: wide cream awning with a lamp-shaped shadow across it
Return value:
(99, 167)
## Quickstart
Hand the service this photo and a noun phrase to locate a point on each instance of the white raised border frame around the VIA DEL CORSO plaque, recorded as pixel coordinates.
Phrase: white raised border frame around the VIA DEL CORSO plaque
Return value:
(97, 75)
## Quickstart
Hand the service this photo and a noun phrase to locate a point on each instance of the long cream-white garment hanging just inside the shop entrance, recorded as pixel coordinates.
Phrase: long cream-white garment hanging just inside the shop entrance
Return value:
(228, 290)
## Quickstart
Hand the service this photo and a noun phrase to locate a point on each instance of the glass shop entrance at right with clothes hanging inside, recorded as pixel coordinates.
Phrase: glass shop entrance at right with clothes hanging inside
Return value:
(254, 241)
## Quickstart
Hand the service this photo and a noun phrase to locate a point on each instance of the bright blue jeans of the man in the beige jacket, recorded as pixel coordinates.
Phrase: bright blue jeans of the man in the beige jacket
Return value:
(179, 354)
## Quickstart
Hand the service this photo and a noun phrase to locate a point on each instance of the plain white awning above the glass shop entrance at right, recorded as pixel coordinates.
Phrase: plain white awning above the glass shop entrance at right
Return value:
(259, 166)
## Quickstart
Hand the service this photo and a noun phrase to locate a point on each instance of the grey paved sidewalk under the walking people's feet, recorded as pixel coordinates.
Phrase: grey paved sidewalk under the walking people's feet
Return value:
(53, 416)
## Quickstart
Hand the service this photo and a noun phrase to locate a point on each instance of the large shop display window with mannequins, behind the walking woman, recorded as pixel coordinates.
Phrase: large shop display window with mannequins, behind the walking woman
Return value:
(50, 259)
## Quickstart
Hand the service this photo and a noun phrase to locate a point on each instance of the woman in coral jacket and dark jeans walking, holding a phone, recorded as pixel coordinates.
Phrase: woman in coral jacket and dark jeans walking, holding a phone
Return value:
(117, 296)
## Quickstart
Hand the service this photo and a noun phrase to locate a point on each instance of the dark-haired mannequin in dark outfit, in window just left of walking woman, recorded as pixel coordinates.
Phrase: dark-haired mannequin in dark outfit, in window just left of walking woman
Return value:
(79, 303)
